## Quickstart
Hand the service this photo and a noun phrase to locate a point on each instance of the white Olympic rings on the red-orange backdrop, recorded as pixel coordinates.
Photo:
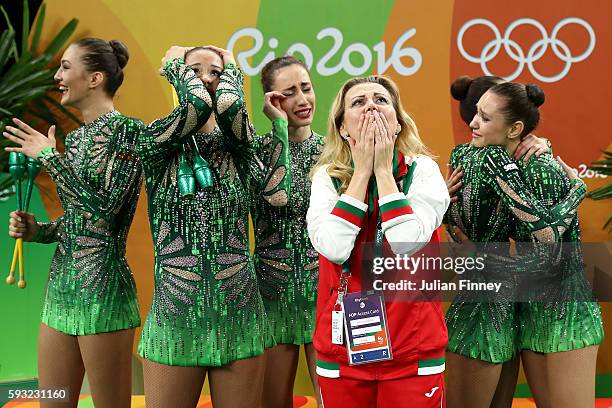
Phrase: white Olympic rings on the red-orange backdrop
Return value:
(537, 50)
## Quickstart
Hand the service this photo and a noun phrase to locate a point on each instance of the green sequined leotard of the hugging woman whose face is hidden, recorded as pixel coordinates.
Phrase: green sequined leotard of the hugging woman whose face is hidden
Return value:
(492, 196)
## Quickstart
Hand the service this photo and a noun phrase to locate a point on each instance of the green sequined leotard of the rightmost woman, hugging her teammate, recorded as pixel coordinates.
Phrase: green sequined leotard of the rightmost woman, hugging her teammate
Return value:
(559, 324)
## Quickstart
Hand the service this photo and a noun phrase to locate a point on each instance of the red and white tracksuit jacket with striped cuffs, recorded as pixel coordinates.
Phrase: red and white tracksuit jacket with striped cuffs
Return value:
(337, 225)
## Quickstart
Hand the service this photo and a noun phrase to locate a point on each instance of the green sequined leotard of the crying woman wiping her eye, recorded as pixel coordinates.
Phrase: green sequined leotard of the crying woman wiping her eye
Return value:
(287, 264)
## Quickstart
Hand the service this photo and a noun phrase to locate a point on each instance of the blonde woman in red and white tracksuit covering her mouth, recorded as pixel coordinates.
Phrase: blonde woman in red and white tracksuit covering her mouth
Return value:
(375, 180)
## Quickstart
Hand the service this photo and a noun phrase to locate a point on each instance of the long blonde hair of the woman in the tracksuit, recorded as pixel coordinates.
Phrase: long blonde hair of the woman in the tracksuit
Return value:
(336, 154)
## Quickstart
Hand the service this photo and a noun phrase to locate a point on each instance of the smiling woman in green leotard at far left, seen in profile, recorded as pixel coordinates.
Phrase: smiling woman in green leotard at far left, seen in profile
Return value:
(90, 308)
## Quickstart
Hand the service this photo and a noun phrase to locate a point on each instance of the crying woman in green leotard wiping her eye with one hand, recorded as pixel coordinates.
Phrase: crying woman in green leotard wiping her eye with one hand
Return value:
(286, 263)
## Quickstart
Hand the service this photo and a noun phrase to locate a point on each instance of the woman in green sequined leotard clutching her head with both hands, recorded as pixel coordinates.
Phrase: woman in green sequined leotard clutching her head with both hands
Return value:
(207, 316)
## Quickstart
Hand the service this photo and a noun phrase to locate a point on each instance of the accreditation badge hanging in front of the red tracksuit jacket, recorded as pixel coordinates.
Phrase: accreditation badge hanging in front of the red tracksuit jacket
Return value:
(367, 336)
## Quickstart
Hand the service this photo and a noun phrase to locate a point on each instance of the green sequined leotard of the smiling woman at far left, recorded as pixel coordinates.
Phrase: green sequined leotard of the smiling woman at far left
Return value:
(91, 289)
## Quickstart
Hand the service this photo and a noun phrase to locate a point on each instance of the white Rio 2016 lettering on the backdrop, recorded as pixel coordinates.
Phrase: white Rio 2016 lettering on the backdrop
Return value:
(399, 53)
